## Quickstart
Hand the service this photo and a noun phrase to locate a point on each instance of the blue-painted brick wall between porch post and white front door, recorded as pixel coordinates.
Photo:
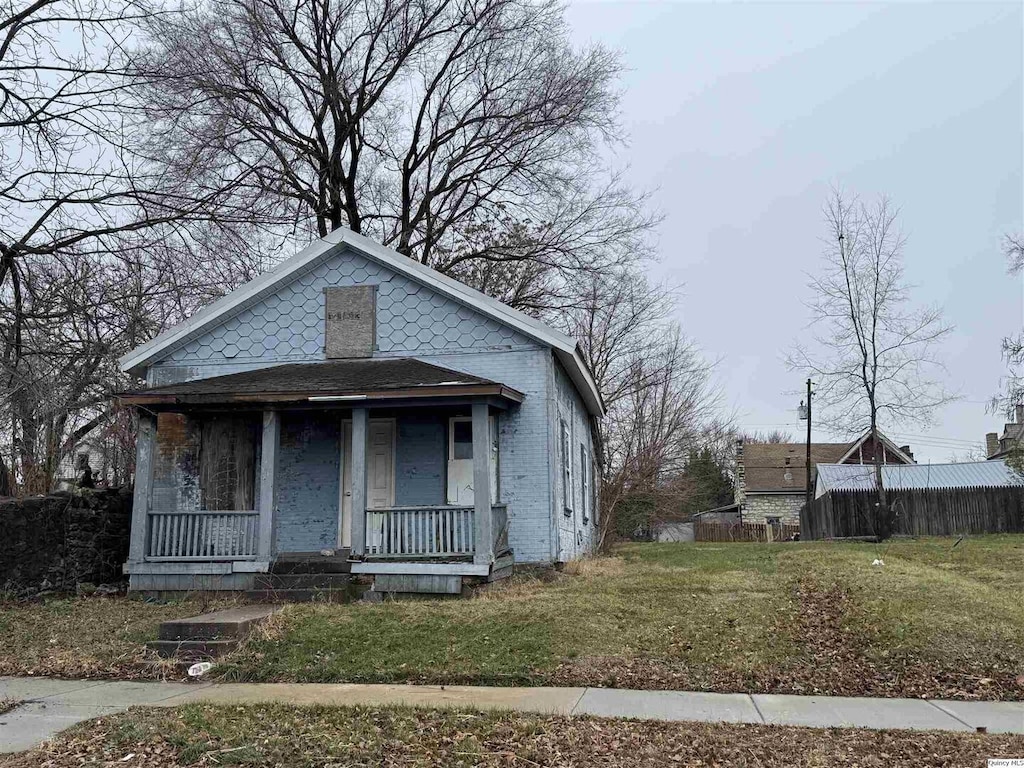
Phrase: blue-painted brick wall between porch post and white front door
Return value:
(309, 476)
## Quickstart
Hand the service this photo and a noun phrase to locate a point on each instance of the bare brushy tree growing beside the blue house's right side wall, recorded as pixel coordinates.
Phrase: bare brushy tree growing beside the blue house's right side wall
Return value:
(663, 405)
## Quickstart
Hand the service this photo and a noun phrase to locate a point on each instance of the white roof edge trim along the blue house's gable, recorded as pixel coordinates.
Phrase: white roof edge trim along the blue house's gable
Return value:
(566, 349)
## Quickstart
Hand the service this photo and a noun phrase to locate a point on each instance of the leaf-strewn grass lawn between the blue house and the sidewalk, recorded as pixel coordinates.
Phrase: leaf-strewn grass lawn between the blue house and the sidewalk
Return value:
(940, 619)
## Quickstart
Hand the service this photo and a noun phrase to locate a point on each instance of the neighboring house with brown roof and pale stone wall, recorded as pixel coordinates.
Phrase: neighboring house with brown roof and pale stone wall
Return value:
(772, 478)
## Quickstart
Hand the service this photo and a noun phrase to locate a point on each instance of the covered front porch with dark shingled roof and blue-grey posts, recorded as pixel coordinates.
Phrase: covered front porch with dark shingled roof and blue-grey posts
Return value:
(390, 465)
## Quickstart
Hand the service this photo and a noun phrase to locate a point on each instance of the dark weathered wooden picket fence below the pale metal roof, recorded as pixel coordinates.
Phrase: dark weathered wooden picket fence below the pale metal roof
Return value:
(841, 515)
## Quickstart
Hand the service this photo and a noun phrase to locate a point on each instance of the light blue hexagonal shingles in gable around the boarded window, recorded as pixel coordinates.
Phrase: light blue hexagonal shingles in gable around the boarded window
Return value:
(288, 326)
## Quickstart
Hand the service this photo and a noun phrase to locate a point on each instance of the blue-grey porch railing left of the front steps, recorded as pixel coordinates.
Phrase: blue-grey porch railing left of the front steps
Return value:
(203, 536)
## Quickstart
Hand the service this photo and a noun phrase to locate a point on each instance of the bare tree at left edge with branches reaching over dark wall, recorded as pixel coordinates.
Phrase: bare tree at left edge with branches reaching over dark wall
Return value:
(74, 206)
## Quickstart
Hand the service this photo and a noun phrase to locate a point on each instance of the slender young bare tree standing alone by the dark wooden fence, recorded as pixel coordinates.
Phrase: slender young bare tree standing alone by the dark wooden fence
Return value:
(876, 358)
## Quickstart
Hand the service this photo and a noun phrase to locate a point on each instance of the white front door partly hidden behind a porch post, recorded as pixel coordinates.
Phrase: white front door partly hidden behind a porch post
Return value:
(380, 479)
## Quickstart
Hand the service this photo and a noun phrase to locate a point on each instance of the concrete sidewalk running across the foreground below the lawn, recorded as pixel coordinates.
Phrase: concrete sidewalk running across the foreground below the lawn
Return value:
(52, 706)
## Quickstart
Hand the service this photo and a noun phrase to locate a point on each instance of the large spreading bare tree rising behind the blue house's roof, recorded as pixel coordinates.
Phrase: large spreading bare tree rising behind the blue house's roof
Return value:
(464, 135)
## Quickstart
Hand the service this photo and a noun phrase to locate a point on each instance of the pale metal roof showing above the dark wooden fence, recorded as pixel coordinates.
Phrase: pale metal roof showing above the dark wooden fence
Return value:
(994, 474)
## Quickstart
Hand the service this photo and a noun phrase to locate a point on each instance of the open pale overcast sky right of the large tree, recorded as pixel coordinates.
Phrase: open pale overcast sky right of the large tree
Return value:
(741, 117)
